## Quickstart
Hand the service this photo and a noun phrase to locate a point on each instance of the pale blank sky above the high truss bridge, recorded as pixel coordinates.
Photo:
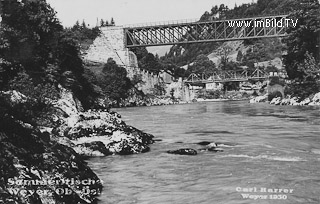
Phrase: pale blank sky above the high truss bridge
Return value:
(133, 11)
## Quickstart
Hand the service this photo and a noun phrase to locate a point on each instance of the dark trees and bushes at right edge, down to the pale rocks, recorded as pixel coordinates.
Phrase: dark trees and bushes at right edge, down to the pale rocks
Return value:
(302, 61)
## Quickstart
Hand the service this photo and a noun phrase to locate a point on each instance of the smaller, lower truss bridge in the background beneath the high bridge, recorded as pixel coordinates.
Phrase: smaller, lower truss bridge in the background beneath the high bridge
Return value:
(226, 76)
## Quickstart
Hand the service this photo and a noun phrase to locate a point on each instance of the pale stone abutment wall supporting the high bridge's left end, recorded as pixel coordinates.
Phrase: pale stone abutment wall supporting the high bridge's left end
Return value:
(110, 44)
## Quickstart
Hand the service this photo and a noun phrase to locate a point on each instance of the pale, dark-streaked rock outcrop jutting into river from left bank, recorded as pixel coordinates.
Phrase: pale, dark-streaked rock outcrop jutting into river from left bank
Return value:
(87, 128)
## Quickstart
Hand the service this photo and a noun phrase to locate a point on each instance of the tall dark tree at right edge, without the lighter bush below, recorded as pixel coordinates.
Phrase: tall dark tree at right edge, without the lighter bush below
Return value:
(302, 38)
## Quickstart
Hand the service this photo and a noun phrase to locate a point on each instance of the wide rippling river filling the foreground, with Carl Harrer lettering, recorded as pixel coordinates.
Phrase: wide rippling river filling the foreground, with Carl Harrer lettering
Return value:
(265, 148)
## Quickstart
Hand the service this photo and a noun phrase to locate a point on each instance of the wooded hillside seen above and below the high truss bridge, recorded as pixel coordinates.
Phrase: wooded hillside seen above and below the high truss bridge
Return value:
(252, 51)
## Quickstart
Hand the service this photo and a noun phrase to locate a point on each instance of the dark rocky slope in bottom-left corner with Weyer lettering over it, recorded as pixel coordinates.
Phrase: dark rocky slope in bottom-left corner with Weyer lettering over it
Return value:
(28, 155)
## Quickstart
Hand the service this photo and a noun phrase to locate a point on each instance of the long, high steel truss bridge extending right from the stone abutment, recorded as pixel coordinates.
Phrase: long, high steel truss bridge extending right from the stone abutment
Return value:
(212, 31)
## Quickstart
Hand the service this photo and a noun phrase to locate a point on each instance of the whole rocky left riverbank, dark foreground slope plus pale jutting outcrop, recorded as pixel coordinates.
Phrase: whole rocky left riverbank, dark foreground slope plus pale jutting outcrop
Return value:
(43, 163)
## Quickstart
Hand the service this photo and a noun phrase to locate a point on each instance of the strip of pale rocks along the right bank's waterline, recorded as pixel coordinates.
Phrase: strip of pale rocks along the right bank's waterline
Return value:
(312, 100)
